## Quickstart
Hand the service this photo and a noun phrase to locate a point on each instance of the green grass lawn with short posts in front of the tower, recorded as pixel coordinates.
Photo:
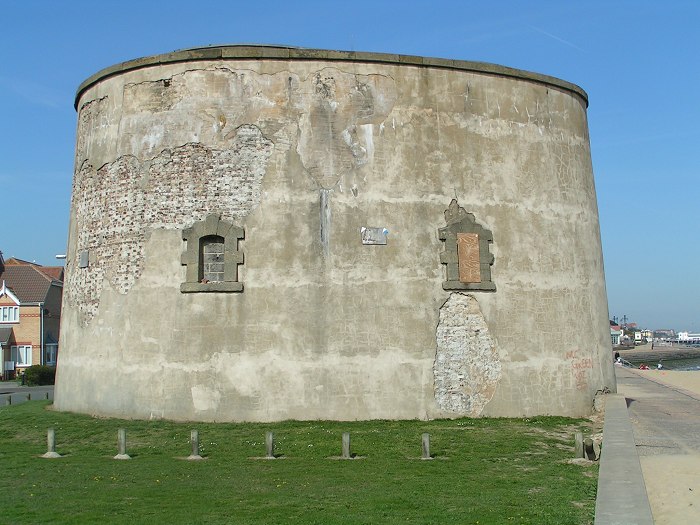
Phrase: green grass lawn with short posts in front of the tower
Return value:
(484, 471)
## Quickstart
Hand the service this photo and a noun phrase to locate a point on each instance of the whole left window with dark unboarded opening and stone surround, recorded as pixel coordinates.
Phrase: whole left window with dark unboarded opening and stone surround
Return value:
(212, 256)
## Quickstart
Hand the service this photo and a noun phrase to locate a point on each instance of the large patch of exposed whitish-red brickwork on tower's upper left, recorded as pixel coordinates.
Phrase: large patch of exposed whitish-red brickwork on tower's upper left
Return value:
(117, 204)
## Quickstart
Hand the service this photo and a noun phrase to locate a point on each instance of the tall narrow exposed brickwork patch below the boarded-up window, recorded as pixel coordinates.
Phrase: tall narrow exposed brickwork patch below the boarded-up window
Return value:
(467, 366)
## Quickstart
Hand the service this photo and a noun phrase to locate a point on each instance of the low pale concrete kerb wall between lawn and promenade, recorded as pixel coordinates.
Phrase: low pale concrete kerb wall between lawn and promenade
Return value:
(622, 496)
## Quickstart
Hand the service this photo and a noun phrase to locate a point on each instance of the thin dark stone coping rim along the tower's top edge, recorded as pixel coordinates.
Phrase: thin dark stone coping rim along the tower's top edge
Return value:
(275, 52)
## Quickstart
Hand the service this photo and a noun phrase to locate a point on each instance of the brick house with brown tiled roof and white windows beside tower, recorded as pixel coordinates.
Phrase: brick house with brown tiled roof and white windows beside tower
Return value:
(30, 314)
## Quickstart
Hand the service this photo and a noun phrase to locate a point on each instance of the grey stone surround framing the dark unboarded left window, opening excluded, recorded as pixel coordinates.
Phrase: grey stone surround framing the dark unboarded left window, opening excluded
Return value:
(212, 226)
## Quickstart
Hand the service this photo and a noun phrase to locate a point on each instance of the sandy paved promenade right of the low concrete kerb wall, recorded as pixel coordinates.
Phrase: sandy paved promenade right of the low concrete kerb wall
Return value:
(666, 426)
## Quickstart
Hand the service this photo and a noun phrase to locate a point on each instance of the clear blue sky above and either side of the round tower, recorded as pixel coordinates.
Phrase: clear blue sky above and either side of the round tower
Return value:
(638, 61)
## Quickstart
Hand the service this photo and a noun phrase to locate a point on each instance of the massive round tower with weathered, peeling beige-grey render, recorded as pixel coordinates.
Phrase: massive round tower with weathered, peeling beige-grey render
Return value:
(297, 151)
